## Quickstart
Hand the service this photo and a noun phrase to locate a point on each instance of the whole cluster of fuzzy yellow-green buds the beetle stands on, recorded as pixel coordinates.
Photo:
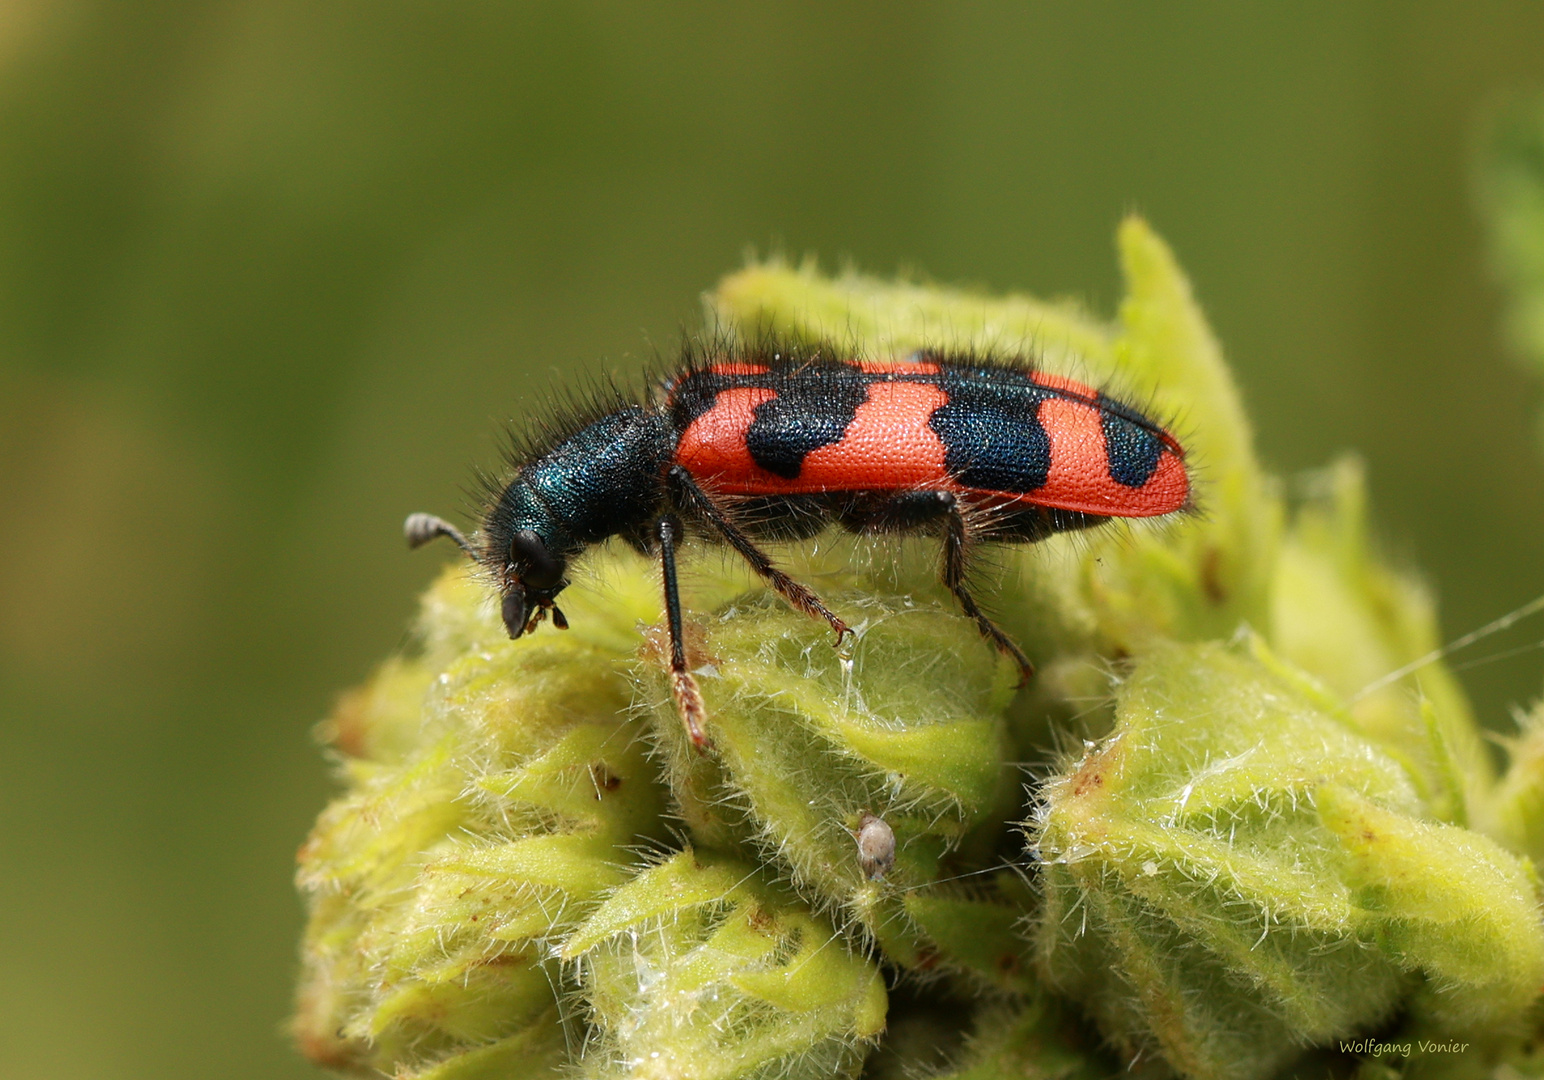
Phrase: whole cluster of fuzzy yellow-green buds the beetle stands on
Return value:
(1211, 840)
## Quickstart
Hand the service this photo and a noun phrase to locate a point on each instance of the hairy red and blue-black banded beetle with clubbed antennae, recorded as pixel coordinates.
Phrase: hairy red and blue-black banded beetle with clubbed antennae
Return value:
(777, 441)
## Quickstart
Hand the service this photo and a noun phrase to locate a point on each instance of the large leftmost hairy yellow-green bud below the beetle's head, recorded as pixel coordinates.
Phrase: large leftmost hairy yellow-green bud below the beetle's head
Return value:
(441, 875)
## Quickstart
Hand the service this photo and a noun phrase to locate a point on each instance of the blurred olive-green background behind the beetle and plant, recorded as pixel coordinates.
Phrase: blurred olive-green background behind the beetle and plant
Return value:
(274, 273)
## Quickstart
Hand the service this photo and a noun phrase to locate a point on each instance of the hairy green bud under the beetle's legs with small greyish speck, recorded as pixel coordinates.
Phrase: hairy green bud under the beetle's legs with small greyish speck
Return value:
(810, 744)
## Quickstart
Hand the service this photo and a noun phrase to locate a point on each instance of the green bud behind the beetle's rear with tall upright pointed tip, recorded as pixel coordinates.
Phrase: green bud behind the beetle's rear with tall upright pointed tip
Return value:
(1112, 591)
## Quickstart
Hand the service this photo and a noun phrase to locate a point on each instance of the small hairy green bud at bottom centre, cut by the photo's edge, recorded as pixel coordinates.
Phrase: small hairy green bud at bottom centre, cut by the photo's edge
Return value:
(699, 968)
